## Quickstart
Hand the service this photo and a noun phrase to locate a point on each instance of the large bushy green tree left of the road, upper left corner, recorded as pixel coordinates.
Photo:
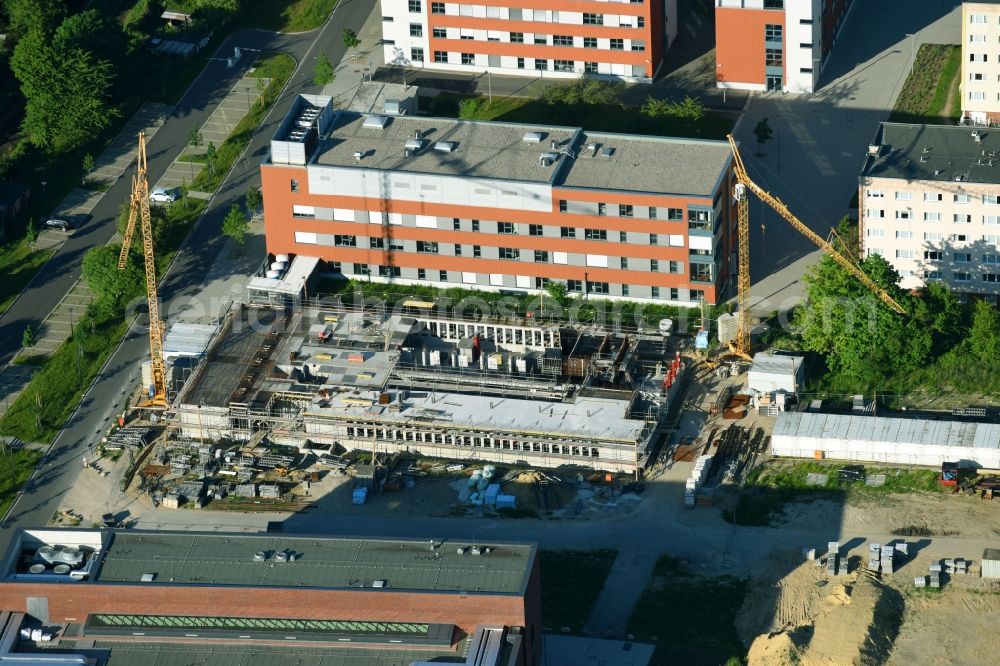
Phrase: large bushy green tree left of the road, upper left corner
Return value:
(66, 92)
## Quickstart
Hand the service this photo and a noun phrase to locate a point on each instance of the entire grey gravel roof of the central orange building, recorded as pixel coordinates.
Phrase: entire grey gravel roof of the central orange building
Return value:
(498, 150)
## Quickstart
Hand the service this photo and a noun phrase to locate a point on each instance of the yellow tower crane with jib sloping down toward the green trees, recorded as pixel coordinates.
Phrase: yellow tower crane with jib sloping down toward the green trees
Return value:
(740, 346)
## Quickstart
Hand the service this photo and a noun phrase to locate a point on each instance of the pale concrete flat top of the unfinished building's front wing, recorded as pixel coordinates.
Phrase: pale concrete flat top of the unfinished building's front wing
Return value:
(587, 418)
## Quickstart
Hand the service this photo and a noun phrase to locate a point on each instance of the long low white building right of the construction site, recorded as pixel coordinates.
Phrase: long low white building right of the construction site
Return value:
(877, 439)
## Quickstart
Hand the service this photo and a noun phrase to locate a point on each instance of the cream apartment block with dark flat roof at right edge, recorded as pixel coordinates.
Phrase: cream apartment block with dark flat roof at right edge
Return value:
(930, 204)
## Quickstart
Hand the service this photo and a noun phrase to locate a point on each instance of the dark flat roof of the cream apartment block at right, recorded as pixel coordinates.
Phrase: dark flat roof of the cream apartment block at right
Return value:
(935, 153)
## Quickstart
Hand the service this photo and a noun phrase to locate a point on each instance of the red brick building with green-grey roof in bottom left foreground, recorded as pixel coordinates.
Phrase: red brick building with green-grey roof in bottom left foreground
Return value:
(201, 591)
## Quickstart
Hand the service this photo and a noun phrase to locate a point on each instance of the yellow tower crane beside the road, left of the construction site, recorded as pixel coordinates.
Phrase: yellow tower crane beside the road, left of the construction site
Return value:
(140, 208)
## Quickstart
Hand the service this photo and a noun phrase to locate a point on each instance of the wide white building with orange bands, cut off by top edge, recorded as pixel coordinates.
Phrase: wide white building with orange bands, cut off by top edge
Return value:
(624, 39)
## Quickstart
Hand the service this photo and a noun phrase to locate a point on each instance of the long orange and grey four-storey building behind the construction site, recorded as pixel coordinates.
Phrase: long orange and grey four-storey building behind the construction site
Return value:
(501, 206)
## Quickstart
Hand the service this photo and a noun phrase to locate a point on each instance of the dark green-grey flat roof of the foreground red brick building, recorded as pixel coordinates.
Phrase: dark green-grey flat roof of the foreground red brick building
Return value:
(323, 562)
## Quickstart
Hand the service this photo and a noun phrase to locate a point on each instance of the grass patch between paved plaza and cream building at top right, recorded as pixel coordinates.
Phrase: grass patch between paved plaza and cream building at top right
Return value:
(929, 92)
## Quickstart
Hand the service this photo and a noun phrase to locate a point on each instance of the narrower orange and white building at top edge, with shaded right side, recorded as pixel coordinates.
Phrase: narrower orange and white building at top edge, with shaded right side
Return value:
(775, 44)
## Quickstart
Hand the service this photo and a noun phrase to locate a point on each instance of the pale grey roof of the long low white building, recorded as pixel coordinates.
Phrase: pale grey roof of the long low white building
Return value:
(888, 429)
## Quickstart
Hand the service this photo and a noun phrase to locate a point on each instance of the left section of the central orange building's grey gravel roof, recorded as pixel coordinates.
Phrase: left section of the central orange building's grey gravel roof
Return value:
(482, 149)
